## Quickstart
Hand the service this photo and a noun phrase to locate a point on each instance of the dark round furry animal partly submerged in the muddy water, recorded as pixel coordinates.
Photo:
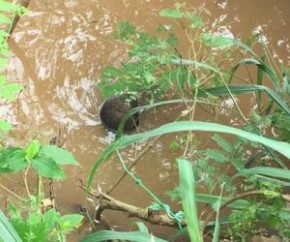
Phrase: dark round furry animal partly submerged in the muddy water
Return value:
(115, 108)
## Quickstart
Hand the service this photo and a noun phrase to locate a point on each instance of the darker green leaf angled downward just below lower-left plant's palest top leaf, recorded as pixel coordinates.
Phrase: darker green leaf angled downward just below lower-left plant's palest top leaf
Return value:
(47, 167)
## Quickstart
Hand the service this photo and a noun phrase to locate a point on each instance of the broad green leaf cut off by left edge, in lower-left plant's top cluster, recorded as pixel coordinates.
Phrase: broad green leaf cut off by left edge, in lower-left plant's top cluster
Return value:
(12, 160)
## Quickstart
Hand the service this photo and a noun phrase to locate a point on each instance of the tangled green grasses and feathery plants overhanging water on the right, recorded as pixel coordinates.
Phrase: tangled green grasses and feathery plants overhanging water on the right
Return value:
(245, 174)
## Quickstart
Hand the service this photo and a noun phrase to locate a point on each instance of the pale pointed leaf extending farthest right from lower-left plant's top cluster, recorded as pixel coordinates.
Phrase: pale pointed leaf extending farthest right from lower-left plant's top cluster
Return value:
(60, 156)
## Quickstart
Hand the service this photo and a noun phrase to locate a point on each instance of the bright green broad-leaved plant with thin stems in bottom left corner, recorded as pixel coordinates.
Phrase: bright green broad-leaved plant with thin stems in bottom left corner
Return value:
(31, 222)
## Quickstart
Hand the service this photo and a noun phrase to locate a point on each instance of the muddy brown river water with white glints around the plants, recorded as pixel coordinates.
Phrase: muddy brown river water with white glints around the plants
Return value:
(58, 52)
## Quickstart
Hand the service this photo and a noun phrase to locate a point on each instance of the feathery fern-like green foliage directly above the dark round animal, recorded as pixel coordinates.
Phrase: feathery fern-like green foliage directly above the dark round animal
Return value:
(142, 72)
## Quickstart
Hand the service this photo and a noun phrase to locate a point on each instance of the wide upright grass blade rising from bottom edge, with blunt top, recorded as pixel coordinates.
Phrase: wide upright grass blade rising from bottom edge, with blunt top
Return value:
(187, 189)
